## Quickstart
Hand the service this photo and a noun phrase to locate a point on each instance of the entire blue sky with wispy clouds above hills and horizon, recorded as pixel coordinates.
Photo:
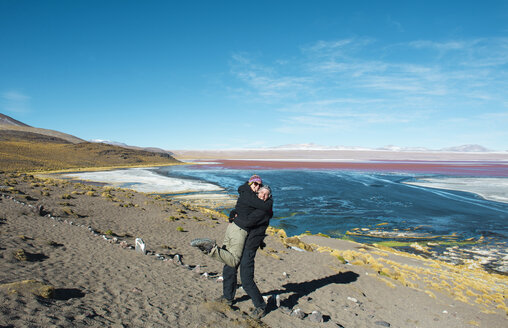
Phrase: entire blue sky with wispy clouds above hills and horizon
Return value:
(238, 74)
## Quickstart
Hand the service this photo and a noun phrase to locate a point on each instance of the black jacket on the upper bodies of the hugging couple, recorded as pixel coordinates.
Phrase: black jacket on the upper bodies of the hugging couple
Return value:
(251, 211)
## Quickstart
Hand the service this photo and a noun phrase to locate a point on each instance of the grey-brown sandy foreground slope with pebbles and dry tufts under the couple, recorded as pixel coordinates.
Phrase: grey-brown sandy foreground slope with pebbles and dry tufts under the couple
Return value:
(78, 245)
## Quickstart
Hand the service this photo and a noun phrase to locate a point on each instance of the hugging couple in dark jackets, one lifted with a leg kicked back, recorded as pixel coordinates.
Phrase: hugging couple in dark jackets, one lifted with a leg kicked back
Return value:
(244, 235)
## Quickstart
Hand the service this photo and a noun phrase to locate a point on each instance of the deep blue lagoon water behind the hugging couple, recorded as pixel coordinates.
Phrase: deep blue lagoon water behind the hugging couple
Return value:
(374, 206)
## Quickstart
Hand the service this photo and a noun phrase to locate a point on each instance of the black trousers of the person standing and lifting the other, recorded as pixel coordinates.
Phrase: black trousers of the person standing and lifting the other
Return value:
(247, 276)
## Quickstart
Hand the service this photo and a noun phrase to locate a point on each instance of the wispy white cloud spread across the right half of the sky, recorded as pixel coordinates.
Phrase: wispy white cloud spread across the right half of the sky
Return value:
(357, 83)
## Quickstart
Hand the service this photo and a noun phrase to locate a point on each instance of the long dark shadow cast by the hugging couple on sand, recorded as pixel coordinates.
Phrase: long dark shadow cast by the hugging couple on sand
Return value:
(301, 289)
